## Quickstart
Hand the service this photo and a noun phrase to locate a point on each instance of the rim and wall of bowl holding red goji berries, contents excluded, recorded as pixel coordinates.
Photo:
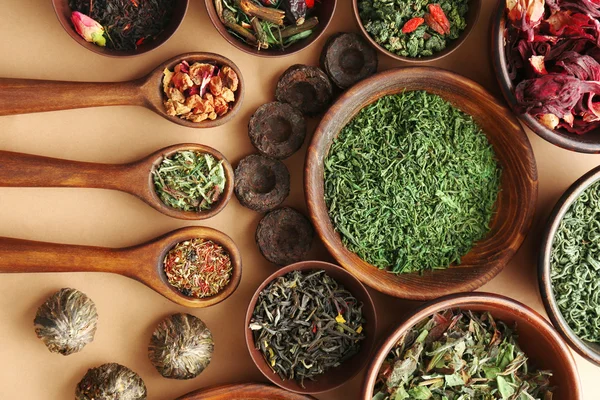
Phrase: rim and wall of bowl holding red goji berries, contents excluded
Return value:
(472, 17)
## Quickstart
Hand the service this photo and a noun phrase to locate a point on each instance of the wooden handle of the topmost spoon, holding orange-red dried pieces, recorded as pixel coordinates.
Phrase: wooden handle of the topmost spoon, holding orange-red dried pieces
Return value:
(22, 96)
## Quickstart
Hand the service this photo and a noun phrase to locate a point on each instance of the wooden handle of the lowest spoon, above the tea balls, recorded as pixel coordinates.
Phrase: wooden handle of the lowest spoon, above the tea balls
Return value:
(28, 256)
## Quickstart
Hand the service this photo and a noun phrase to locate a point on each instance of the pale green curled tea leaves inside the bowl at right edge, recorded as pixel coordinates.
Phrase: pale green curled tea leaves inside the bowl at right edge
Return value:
(575, 265)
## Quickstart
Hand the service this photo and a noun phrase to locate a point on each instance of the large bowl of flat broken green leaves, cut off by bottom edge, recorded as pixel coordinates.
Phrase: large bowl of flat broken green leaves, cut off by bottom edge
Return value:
(473, 346)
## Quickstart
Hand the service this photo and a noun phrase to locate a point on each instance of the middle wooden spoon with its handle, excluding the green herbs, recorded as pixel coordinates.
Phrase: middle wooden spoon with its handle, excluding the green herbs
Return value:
(26, 170)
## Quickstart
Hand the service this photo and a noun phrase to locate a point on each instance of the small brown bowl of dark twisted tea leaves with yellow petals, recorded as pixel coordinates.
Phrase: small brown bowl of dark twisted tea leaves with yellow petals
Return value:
(310, 327)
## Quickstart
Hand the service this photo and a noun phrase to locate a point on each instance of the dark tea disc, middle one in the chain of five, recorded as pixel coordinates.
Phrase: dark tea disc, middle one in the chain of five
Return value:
(277, 130)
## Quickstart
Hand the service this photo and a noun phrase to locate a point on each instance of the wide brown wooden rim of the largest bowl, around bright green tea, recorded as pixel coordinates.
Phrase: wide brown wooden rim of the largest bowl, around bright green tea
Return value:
(324, 226)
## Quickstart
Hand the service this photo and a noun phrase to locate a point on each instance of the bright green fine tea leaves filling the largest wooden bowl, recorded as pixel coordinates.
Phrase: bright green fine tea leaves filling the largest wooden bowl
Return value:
(411, 183)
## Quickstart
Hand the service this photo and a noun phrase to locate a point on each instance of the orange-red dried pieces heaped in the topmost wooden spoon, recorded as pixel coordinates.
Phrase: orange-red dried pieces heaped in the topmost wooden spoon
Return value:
(199, 92)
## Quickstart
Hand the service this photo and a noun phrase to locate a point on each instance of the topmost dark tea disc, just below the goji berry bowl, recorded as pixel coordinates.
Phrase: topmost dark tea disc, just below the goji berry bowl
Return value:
(348, 58)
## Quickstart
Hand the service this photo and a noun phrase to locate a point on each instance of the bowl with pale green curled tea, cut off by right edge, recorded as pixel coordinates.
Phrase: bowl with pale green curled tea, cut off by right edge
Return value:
(569, 266)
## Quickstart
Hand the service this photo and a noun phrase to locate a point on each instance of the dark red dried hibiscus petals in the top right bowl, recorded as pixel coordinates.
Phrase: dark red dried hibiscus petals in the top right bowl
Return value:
(552, 52)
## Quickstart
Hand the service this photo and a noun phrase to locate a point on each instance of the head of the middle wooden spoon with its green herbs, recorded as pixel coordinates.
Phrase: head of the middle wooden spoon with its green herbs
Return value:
(192, 181)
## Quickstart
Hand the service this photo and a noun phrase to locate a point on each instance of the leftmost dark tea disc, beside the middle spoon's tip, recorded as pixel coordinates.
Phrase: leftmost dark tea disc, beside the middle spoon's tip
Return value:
(261, 183)
